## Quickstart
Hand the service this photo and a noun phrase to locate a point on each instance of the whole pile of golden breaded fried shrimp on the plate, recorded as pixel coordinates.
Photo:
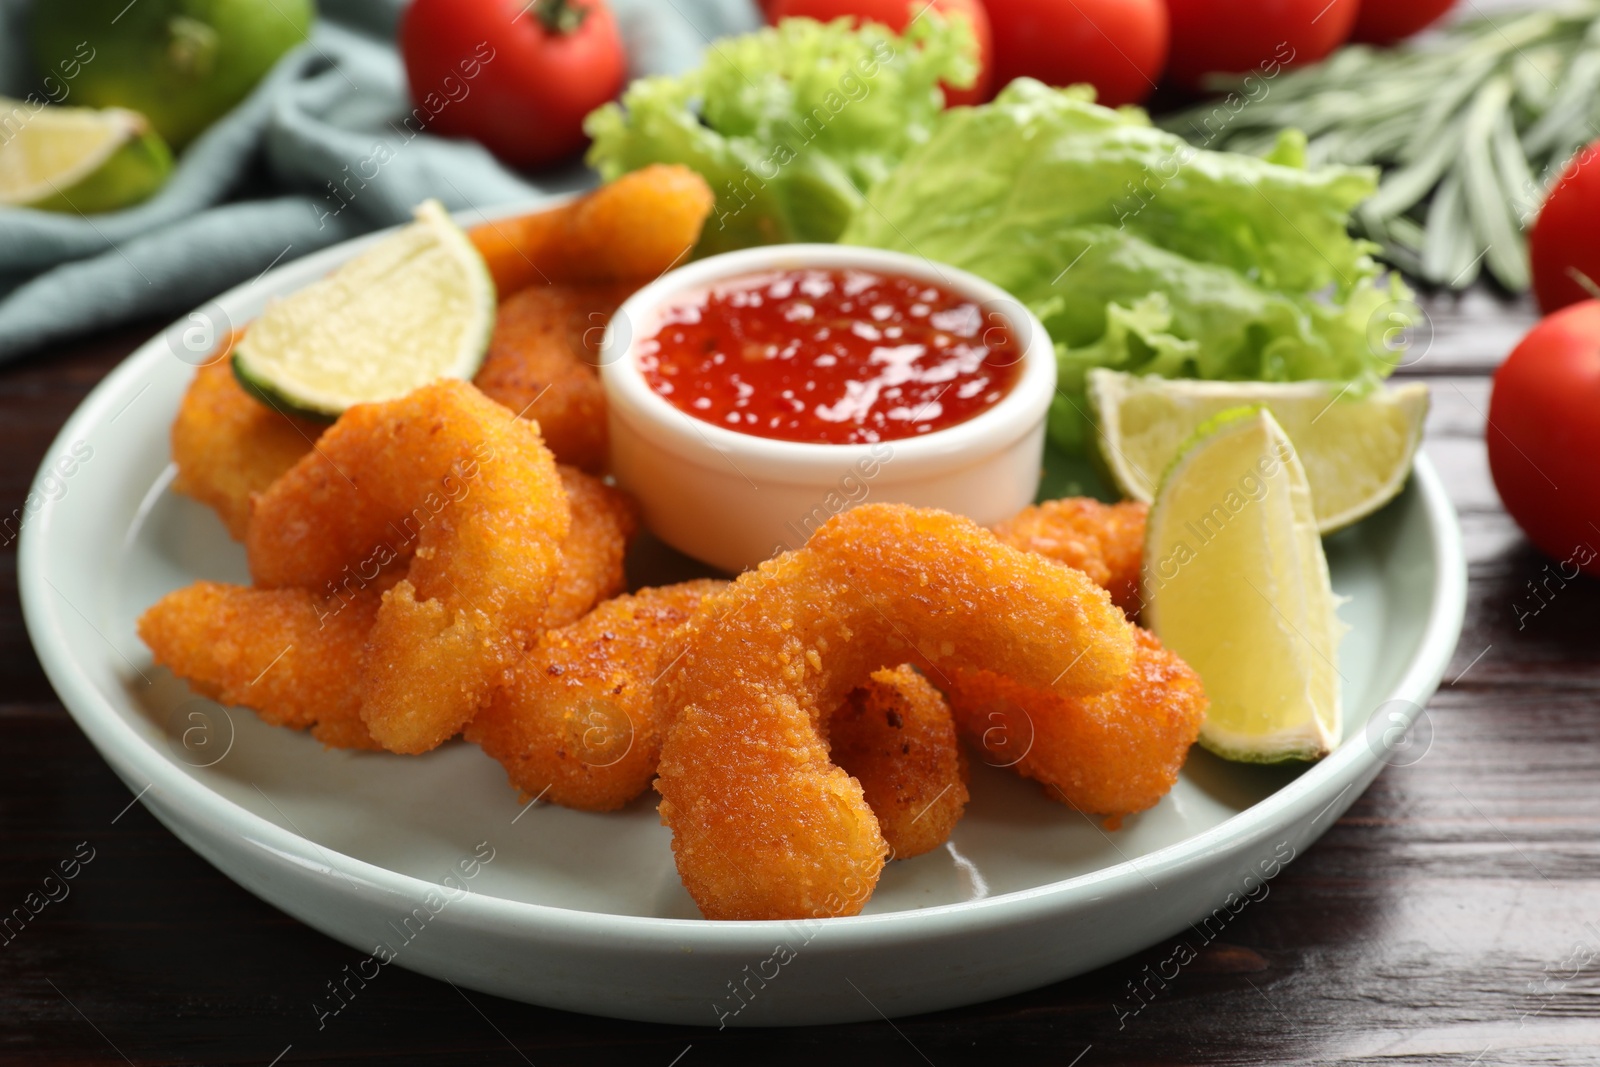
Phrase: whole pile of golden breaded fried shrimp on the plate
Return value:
(452, 564)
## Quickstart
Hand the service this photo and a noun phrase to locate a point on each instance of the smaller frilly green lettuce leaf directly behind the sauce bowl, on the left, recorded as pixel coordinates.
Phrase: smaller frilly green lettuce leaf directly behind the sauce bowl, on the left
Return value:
(791, 124)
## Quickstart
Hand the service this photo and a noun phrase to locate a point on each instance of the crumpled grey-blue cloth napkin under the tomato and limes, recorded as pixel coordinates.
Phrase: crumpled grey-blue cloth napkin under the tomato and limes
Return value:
(268, 182)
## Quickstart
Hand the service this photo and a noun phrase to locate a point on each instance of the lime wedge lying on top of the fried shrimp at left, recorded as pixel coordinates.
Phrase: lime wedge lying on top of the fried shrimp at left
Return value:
(415, 308)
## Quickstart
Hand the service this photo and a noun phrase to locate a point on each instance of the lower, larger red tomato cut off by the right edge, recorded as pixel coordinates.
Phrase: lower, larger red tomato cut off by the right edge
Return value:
(1545, 436)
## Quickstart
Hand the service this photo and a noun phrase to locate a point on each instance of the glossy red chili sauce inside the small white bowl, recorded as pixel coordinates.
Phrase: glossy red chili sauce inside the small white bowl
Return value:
(834, 358)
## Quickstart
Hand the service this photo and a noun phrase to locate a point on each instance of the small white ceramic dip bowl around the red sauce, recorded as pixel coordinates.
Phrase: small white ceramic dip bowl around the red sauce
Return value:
(734, 500)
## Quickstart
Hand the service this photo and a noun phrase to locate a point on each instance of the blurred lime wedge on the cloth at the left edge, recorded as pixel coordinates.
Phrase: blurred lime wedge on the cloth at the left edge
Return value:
(78, 159)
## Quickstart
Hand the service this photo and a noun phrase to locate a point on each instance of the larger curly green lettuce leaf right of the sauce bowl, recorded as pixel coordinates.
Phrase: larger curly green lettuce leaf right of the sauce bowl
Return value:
(1143, 254)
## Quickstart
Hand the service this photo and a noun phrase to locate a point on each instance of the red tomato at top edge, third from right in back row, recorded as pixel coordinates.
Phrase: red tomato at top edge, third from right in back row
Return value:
(1116, 46)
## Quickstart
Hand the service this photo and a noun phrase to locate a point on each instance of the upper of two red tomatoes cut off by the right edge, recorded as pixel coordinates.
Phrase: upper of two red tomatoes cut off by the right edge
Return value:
(1566, 238)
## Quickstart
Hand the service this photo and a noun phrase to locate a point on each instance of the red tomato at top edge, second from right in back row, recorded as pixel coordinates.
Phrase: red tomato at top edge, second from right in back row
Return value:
(1254, 36)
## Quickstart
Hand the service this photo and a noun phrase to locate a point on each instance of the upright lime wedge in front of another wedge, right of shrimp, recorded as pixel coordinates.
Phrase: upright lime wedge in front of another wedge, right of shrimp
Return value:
(1236, 583)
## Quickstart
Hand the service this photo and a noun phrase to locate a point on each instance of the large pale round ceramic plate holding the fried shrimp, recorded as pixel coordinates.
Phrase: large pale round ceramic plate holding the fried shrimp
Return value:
(585, 911)
